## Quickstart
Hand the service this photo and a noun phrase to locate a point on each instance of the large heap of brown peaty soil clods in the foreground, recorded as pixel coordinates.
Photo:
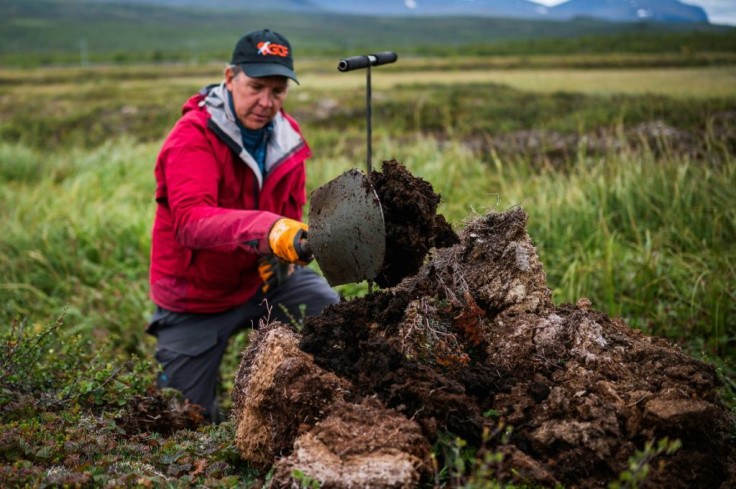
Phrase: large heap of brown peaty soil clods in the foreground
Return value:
(467, 345)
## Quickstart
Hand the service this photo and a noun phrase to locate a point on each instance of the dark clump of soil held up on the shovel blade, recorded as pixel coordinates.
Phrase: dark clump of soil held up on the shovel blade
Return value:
(413, 226)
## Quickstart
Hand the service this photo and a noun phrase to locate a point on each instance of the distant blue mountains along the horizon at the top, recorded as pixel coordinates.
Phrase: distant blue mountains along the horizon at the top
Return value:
(608, 10)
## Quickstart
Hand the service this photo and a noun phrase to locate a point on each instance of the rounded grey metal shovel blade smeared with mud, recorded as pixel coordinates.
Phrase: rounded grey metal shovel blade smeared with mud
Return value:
(346, 229)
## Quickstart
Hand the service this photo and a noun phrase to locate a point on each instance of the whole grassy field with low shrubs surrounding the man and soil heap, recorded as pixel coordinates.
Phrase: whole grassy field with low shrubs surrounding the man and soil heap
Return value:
(628, 177)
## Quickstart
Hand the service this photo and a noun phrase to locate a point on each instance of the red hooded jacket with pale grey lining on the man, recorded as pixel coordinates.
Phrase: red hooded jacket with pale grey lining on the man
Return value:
(215, 209)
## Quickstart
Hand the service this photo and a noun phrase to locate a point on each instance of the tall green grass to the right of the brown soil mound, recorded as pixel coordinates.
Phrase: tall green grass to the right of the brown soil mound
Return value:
(645, 238)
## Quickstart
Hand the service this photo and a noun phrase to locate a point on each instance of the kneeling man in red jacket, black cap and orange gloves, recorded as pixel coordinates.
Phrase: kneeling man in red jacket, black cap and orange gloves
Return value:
(227, 248)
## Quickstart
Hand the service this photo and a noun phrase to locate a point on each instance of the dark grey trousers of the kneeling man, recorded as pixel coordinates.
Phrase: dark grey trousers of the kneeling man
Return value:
(190, 347)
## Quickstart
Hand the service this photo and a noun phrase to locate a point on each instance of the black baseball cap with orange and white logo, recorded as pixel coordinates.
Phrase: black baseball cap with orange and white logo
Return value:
(264, 53)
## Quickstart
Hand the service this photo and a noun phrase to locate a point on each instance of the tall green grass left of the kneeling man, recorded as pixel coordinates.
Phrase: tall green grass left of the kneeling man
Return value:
(76, 238)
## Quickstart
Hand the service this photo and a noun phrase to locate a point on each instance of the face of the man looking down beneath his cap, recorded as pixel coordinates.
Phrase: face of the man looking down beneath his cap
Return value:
(256, 100)
